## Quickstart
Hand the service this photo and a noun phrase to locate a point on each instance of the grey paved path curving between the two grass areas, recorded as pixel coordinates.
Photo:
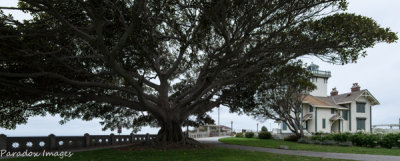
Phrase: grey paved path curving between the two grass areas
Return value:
(214, 141)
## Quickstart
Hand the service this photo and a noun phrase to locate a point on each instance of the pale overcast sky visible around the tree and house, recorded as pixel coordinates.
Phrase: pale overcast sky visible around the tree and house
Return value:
(379, 72)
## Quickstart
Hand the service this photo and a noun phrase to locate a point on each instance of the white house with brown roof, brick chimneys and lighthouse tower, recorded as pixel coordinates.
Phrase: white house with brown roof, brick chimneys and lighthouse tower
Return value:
(346, 112)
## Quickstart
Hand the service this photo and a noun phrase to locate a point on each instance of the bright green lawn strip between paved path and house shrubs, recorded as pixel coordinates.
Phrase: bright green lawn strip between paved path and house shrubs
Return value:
(309, 147)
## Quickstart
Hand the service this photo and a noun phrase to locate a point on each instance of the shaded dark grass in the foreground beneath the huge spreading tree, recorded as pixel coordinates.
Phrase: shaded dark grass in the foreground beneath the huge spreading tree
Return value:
(206, 154)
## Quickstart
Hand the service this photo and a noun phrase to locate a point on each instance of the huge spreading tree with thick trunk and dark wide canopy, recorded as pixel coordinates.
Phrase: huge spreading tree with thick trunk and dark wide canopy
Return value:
(159, 62)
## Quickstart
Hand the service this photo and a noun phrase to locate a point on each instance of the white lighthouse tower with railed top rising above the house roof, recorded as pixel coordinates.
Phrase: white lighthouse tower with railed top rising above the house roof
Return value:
(320, 79)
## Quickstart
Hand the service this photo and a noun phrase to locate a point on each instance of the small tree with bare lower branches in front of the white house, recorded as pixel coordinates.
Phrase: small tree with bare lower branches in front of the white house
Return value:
(284, 100)
